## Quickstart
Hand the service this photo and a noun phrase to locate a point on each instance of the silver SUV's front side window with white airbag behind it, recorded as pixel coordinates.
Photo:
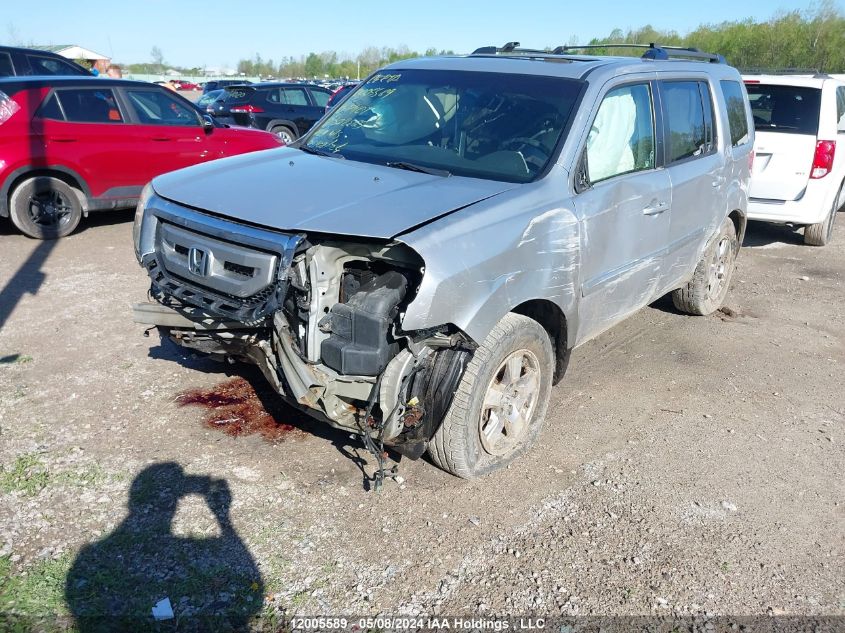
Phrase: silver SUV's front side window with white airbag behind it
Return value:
(621, 138)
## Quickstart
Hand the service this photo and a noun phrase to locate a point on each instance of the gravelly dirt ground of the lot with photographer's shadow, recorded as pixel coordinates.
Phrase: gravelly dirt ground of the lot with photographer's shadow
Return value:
(688, 465)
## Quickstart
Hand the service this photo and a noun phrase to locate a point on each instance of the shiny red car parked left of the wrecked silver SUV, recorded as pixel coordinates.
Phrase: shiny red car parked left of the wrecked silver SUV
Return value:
(71, 145)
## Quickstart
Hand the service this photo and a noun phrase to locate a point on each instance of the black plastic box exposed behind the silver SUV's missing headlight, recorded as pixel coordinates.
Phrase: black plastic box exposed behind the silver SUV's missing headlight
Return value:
(359, 343)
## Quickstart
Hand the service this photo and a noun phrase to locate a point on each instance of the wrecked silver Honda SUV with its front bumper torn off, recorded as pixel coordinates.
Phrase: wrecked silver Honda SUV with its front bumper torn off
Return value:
(419, 266)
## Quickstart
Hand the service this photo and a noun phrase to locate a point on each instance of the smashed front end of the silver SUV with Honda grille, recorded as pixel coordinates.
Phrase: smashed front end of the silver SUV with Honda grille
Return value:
(320, 316)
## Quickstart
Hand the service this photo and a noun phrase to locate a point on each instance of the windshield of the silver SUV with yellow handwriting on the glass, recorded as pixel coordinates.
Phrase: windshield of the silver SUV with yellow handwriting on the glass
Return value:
(478, 124)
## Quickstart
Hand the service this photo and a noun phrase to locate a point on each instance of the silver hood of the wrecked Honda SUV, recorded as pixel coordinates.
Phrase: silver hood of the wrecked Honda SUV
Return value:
(290, 190)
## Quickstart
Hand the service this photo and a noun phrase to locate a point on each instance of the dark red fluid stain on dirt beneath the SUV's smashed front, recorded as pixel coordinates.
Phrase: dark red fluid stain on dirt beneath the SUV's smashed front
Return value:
(235, 408)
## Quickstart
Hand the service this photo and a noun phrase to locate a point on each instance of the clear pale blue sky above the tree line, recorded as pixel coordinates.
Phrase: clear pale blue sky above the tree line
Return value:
(211, 33)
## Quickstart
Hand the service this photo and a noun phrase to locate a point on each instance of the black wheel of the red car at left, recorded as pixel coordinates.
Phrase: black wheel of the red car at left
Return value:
(45, 208)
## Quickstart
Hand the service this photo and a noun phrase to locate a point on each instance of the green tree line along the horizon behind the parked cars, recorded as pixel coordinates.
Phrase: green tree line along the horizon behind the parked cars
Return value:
(802, 39)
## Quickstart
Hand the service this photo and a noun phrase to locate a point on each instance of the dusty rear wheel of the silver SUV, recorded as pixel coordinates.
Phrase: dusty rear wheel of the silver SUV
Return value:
(706, 291)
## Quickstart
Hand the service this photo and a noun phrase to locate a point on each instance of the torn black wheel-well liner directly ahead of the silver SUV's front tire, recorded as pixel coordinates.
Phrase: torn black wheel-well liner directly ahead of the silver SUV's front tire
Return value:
(429, 396)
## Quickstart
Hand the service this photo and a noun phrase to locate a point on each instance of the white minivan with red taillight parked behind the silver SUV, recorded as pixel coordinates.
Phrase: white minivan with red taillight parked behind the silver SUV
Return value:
(798, 173)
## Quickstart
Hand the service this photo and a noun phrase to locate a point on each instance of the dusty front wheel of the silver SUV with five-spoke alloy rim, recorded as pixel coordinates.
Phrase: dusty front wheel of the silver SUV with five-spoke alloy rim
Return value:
(460, 446)
